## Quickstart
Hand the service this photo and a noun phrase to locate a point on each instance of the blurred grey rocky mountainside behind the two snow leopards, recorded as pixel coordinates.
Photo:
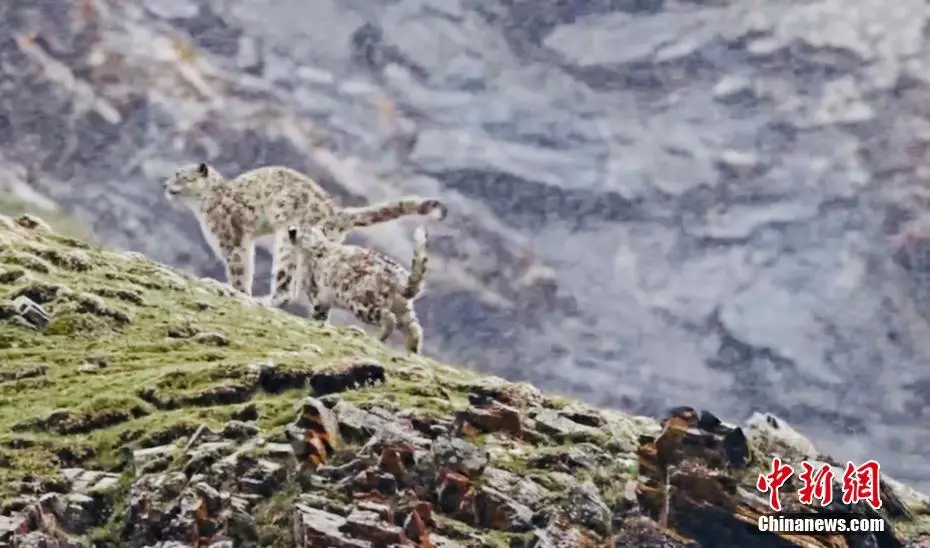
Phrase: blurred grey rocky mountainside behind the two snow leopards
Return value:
(651, 200)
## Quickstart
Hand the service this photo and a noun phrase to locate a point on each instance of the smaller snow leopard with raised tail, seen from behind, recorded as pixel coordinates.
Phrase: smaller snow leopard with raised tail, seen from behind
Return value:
(371, 285)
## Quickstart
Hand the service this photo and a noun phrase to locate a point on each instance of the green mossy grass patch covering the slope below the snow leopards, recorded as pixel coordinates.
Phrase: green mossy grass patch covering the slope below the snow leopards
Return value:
(119, 312)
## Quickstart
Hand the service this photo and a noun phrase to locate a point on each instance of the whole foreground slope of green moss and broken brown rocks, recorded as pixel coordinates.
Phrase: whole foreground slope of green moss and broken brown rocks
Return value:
(142, 407)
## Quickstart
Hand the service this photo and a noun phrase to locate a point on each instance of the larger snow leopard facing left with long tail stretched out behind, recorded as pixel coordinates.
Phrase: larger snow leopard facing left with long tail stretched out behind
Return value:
(267, 200)
